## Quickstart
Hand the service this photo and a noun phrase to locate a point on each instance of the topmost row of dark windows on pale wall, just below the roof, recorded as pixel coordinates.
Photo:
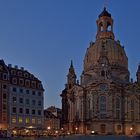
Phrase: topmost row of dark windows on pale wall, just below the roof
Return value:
(26, 91)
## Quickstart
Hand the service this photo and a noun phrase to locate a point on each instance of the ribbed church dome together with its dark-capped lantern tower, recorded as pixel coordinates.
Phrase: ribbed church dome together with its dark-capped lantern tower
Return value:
(105, 41)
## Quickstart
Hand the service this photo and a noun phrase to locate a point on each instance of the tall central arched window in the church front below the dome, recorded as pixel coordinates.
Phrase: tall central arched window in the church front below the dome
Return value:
(102, 107)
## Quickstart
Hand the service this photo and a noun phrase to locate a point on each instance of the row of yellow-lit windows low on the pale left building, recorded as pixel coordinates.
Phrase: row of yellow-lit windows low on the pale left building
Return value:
(26, 120)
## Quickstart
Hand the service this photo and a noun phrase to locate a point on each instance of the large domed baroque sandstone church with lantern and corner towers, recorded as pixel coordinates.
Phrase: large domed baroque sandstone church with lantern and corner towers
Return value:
(106, 100)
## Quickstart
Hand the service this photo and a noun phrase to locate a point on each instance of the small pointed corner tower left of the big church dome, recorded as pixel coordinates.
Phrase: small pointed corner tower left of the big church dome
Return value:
(71, 77)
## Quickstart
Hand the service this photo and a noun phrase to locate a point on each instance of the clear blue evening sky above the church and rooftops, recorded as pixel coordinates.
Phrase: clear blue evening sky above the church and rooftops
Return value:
(44, 35)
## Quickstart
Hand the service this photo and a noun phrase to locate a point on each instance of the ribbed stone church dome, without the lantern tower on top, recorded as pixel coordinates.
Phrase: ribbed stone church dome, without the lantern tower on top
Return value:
(114, 52)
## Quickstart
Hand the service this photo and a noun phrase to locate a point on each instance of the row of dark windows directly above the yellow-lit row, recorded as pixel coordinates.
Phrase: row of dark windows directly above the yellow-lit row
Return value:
(27, 111)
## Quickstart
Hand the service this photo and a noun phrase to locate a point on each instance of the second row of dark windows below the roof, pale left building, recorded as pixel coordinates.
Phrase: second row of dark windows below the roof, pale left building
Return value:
(27, 101)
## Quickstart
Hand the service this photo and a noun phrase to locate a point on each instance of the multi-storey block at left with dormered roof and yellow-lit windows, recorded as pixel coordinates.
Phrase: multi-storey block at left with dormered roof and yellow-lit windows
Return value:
(21, 98)
